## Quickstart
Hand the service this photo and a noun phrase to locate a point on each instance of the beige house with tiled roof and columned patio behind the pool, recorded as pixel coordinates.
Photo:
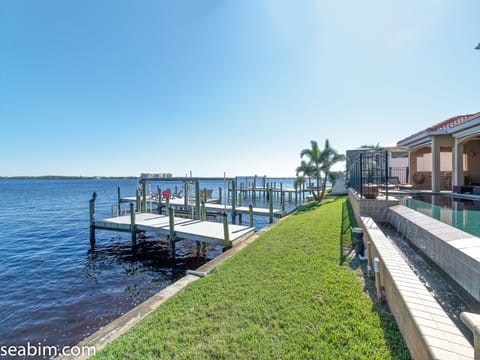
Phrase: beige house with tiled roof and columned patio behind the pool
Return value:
(445, 156)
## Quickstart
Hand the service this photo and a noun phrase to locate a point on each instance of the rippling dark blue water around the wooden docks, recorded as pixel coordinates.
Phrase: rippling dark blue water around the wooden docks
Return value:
(54, 290)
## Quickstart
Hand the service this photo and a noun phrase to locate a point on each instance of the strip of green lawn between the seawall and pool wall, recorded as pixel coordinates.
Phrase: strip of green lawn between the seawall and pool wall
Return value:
(285, 296)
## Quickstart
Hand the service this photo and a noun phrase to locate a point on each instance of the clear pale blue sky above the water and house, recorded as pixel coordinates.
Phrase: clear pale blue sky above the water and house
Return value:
(98, 87)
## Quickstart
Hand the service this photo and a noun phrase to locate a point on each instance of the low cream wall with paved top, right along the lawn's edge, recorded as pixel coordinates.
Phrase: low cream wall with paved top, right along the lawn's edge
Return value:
(426, 328)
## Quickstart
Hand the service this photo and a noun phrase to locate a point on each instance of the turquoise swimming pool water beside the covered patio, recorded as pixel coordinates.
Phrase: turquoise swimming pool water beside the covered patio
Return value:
(463, 214)
